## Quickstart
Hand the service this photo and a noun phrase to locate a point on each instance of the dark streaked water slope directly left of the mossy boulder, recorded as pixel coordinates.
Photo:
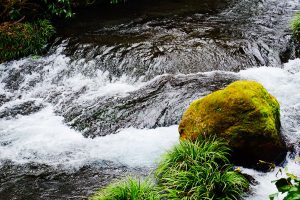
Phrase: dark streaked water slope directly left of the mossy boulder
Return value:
(160, 103)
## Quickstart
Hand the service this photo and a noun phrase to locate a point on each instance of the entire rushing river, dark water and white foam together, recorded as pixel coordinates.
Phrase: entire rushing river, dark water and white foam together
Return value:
(106, 99)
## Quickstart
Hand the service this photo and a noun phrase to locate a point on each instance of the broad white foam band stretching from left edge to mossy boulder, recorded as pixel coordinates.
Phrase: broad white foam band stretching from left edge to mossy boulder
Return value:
(43, 138)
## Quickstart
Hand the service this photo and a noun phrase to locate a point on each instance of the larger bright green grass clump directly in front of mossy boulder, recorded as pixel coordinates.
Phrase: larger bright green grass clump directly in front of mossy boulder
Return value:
(199, 170)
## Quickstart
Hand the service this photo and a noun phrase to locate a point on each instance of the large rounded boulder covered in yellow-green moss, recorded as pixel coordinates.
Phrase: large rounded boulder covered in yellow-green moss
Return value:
(245, 115)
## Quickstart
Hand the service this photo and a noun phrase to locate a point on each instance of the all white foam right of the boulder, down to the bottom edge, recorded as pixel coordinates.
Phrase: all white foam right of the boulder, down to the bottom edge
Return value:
(284, 84)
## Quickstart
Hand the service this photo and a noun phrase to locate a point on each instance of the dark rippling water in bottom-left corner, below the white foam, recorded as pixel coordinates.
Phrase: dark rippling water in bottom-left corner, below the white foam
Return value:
(40, 181)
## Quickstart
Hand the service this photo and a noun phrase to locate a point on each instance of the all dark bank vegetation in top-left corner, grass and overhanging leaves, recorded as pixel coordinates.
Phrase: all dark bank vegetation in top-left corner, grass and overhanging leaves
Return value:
(26, 25)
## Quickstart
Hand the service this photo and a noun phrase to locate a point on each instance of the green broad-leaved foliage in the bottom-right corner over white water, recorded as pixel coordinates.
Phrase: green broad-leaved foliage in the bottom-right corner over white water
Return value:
(289, 186)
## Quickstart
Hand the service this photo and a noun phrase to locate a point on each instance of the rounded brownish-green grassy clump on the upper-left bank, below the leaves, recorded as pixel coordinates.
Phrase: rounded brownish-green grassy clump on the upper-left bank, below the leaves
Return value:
(21, 39)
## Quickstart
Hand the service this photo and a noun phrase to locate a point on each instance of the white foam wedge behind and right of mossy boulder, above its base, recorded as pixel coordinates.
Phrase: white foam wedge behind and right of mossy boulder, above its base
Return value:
(284, 84)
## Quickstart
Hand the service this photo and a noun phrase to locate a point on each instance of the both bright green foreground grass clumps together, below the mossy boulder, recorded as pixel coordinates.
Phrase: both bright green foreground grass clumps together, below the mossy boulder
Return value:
(191, 170)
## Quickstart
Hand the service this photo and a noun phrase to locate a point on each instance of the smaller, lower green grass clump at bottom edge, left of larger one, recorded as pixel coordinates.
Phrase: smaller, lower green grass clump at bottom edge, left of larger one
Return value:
(129, 189)
